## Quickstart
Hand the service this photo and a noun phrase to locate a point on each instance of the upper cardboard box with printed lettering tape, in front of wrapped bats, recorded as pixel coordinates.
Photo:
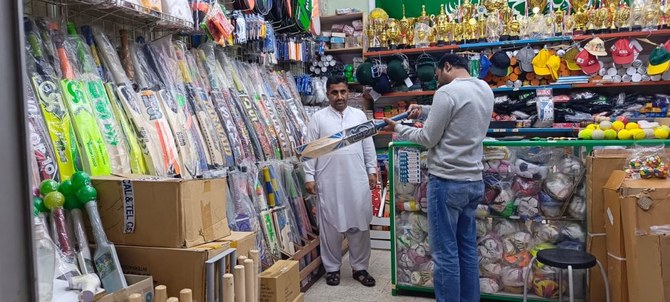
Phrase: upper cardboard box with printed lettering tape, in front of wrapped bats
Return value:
(162, 212)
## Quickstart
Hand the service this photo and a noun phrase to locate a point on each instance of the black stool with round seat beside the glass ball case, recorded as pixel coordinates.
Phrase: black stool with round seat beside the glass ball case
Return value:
(562, 259)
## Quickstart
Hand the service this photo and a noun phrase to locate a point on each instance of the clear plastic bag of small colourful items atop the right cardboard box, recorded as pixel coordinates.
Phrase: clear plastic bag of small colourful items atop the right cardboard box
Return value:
(647, 162)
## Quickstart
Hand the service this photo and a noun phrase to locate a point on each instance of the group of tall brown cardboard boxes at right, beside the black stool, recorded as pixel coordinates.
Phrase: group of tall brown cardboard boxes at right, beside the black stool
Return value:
(621, 215)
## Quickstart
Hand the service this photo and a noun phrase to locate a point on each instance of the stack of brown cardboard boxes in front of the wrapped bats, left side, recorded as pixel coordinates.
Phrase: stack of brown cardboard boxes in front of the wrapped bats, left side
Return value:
(168, 228)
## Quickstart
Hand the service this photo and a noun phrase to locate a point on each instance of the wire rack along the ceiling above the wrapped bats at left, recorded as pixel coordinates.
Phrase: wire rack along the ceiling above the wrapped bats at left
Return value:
(121, 12)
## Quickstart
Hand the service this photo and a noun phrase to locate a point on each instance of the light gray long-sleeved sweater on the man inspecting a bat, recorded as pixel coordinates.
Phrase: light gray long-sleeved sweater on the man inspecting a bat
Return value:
(454, 129)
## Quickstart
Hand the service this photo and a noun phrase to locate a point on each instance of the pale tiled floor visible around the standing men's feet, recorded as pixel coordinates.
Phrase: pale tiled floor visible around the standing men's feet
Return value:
(351, 290)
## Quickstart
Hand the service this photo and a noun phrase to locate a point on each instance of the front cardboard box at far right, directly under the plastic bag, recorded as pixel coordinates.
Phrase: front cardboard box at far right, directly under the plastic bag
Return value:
(643, 203)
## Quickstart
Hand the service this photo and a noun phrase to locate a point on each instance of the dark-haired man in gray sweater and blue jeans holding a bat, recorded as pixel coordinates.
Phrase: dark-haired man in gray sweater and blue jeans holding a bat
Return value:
(454, 128)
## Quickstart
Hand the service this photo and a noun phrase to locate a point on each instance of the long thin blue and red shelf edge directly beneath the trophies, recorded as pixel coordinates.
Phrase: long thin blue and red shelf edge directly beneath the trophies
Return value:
(474, 46)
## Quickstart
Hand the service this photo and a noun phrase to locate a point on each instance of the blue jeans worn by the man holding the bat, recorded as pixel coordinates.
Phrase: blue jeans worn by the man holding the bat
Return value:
(453, 238)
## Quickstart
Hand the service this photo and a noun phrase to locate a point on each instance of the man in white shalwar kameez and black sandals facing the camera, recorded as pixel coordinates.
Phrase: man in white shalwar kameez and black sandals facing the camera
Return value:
(342, 181)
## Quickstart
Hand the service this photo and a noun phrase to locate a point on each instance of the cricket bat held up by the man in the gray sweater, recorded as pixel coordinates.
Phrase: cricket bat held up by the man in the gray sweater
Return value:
(342, 139)
